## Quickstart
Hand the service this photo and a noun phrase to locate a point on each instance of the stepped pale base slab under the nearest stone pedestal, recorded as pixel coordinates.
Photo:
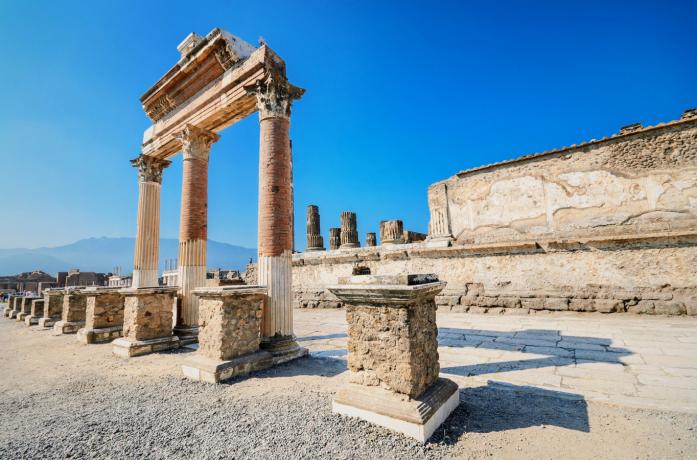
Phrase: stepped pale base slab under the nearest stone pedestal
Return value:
(417, 418)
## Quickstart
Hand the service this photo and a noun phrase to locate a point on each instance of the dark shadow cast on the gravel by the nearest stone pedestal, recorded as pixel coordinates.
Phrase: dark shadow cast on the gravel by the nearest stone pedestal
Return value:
(501, 407)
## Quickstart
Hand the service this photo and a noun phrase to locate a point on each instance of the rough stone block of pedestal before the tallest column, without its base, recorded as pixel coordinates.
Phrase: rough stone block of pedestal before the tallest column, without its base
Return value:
(229, 324)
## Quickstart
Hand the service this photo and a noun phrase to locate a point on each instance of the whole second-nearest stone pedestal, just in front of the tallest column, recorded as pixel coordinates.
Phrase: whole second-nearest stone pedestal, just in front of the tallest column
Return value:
(229, 335)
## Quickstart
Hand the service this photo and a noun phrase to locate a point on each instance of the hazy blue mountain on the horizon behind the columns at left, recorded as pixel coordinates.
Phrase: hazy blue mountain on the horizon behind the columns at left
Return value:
(103, 254)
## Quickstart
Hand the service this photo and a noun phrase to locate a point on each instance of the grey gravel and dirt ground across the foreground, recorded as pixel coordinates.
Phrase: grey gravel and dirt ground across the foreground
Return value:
(61, 399)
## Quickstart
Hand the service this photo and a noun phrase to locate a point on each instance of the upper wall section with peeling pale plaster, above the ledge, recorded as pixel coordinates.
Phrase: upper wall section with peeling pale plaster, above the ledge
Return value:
(642, 177)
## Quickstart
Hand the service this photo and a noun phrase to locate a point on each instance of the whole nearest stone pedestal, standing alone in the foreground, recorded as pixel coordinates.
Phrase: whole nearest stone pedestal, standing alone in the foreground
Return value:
(393, 354)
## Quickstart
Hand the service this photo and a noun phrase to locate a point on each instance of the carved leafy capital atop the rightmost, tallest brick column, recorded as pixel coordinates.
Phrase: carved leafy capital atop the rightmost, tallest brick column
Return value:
(274, 96)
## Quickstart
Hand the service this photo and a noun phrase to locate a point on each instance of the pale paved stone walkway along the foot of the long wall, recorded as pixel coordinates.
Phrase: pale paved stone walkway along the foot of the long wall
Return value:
(639, 361)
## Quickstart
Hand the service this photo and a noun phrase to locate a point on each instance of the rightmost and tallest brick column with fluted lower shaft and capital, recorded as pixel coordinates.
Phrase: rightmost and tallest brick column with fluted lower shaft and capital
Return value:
(274, 97)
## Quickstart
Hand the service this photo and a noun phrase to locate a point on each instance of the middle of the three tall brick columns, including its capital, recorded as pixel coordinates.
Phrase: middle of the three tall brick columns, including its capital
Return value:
(193, 226)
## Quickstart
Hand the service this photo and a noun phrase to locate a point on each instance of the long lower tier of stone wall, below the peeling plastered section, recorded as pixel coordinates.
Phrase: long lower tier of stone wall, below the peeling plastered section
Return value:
(649, 273)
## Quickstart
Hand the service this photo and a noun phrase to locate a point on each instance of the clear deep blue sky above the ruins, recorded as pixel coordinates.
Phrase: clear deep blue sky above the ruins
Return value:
(399, 95)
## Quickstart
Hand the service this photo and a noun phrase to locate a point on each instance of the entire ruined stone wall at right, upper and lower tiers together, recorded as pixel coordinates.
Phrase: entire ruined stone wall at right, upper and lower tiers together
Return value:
(607, 226)
